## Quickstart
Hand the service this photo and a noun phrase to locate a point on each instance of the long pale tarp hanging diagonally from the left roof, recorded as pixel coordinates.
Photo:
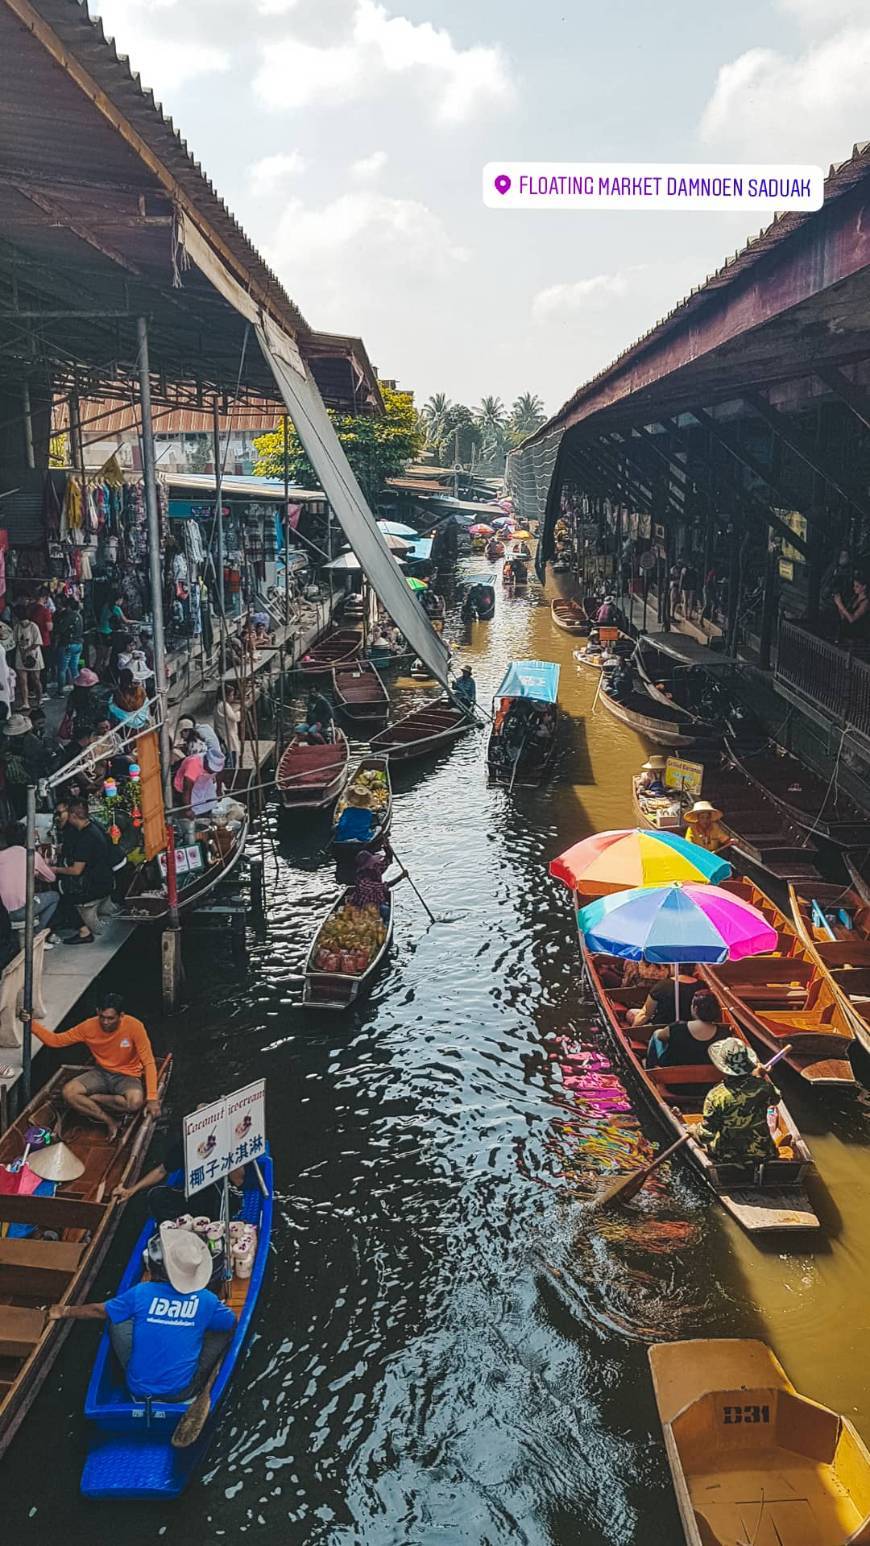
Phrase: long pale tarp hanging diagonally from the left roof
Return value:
(327, 455)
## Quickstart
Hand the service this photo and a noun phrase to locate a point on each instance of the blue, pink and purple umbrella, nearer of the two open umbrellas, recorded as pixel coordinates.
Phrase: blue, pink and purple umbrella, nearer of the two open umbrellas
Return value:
(676, 924)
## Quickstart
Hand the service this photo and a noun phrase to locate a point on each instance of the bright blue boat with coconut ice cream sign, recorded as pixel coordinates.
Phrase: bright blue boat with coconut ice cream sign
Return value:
(132, 1457)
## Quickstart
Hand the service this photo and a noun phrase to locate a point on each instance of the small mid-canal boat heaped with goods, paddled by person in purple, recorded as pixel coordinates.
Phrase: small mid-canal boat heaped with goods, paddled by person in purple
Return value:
(336, 973)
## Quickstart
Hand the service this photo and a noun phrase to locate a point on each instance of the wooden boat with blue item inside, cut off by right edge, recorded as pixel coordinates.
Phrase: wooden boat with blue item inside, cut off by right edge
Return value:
(834, 924)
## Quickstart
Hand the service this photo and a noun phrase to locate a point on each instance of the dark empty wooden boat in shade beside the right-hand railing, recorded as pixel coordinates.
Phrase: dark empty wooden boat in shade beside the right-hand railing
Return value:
(811, 800)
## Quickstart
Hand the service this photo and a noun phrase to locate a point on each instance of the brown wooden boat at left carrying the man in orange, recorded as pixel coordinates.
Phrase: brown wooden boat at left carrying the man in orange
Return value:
(69, 1238)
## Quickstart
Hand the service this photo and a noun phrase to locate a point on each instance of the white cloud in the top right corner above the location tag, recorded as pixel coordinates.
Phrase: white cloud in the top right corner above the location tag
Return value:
(811, 106)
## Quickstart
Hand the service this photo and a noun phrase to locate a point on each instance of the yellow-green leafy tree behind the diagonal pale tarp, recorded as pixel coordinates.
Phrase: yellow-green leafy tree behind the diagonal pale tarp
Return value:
(376, 449)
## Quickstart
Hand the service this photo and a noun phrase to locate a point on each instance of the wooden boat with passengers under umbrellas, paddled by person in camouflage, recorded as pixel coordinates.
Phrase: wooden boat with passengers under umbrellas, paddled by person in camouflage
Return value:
(761, 1199)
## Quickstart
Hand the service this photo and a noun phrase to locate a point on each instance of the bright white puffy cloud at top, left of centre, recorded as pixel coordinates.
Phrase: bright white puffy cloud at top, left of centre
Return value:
(376, 49)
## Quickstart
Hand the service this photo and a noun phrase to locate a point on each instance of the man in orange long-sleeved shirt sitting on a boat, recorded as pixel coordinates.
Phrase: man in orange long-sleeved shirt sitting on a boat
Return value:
(126, 1075)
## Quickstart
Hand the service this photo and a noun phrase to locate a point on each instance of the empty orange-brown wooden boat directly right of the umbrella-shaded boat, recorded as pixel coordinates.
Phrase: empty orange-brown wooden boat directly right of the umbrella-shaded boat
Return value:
(786, 998)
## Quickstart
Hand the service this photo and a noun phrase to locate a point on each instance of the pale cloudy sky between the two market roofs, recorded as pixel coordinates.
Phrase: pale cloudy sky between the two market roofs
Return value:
(348, 138)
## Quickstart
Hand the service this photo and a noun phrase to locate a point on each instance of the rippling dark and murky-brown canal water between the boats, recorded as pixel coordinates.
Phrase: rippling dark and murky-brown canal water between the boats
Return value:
(449, 1347)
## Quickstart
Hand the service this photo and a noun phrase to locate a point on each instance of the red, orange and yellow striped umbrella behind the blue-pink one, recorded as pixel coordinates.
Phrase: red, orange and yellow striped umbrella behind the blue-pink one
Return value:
(636, 857)
